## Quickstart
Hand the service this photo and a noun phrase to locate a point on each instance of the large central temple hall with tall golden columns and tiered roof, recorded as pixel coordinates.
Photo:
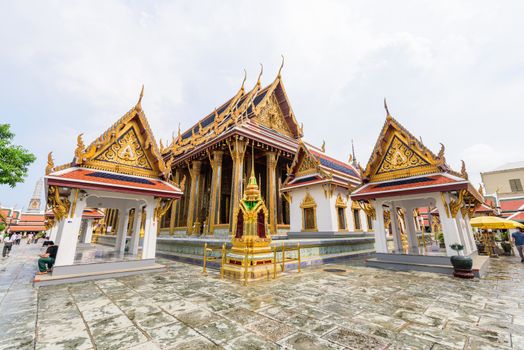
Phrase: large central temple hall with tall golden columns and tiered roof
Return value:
(211, 156)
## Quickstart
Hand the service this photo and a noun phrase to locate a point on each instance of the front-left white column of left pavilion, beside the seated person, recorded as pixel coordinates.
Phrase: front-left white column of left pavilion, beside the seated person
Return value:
(67, 238)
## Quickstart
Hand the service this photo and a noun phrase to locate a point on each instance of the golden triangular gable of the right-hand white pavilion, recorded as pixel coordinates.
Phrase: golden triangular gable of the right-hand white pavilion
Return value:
(398, 154)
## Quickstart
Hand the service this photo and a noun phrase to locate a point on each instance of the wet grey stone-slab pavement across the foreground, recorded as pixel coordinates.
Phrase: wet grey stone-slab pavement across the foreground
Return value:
(356, 308)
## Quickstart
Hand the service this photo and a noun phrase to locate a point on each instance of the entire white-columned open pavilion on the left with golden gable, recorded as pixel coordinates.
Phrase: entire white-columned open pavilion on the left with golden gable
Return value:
(123, 170)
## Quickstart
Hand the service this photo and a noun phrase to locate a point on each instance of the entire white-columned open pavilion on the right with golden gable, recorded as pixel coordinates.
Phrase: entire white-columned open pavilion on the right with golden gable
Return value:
(402, 175)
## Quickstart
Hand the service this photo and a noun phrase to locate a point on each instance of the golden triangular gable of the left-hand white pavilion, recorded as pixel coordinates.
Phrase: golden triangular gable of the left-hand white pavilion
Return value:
(127, 147)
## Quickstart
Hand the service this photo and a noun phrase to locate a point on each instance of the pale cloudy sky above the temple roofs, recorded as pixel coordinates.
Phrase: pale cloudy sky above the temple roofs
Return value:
(452, 71)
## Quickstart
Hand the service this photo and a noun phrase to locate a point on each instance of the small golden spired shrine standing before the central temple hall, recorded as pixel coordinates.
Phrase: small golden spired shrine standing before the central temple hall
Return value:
(251, 257)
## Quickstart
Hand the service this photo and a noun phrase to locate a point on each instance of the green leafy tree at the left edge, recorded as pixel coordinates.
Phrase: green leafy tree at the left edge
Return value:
(14, 160)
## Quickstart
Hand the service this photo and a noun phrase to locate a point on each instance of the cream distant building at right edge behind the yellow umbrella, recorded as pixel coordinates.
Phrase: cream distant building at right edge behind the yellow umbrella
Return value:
(505, 184)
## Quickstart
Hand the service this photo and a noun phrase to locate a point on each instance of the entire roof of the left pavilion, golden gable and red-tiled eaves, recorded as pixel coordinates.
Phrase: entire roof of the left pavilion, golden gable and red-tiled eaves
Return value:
(125, 158)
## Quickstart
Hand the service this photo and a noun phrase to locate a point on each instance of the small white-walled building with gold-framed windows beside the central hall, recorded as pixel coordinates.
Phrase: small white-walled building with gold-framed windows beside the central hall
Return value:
(318, 188)
